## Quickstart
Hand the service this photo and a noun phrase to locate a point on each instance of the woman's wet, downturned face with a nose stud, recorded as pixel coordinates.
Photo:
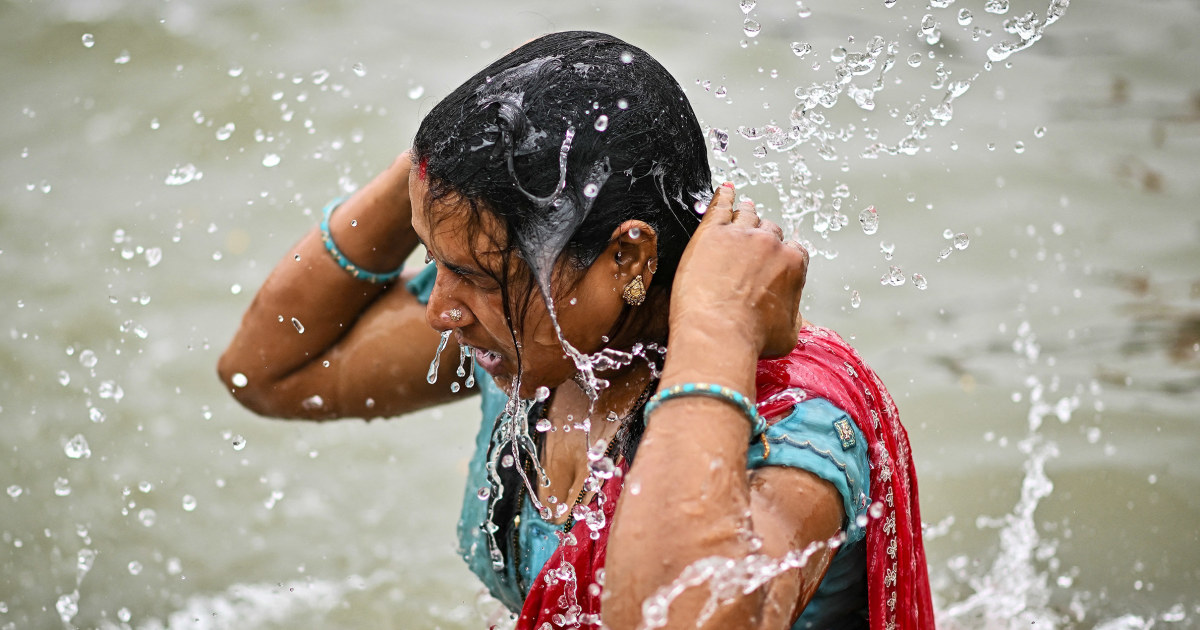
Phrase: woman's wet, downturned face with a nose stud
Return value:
(589, 303)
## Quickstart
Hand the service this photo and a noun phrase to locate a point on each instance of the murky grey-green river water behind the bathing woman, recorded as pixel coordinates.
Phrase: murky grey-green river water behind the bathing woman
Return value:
(159, 158)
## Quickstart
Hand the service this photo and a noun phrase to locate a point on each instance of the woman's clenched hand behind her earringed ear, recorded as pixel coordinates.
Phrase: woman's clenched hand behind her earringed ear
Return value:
(740, 275)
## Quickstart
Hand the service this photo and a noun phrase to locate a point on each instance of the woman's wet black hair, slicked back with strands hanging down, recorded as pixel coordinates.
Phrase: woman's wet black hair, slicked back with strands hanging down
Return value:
(563, 140)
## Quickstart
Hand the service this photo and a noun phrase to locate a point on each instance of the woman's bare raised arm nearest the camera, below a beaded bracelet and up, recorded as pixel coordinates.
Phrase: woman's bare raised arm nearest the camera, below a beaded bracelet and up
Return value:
(736, 298)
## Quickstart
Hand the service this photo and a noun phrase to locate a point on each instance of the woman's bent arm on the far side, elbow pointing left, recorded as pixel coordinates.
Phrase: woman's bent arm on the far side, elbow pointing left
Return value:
(319, 344)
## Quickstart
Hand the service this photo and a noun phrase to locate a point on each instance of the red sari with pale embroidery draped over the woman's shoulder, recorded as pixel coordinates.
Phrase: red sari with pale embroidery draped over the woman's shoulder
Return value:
(567, 593)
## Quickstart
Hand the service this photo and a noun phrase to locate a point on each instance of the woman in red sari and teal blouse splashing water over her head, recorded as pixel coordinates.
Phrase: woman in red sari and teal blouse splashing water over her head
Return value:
(566, 205)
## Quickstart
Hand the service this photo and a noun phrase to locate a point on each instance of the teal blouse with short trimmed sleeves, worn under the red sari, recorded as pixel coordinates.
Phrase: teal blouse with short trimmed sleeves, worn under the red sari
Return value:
(807, 439)
